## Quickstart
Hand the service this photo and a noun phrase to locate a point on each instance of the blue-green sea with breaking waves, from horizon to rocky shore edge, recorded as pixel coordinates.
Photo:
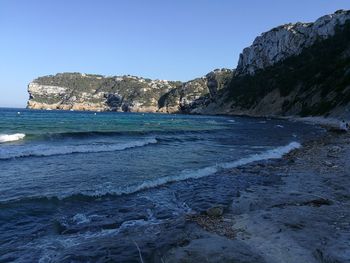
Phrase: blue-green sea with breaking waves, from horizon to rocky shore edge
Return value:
(85, 186)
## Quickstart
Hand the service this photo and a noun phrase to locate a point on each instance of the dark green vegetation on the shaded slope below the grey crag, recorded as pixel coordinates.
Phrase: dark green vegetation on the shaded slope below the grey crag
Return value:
(323, 68)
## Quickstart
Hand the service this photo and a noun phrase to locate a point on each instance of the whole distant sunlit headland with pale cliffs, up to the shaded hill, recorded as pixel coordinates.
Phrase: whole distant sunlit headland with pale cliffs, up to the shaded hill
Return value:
(75, 91)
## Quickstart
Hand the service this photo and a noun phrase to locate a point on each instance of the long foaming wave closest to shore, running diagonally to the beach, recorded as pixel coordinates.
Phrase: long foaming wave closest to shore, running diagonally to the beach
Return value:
(275, 153)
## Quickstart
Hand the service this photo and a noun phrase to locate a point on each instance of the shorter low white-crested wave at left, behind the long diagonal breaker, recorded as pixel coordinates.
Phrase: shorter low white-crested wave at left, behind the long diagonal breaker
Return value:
(45, 150)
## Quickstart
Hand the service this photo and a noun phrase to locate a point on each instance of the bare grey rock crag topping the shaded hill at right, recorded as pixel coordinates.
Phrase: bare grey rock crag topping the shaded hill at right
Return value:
(287, 40)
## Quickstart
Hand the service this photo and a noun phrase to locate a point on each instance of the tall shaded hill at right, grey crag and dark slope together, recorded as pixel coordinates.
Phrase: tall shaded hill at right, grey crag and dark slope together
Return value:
(293, 70)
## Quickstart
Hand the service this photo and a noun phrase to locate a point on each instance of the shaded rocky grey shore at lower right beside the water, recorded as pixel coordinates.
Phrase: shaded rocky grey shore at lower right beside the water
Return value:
(303, 217)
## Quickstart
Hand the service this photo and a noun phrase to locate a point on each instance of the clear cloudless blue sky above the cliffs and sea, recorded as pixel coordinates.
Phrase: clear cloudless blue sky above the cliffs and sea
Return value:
(164, 39)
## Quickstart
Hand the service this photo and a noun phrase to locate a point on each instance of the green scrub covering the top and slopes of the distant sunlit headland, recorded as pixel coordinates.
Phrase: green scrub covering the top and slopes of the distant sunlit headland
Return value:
(127, 89)
